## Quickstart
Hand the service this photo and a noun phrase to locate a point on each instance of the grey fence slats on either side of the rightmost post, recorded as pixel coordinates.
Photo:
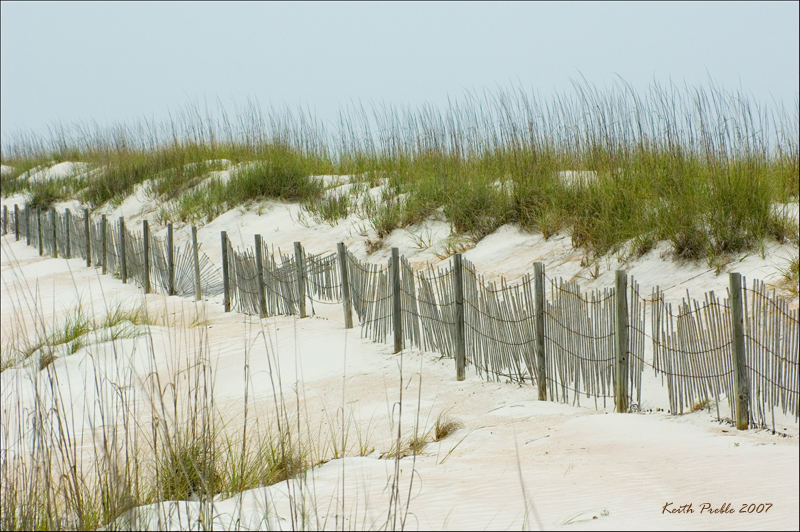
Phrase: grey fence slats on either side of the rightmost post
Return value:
(693, 347)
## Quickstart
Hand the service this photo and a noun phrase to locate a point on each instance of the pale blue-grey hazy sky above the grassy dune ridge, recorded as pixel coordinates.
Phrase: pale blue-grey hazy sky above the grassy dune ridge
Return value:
(108, 62)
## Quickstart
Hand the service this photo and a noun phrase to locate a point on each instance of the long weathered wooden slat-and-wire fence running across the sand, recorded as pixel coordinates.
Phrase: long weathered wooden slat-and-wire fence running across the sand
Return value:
(584, 338)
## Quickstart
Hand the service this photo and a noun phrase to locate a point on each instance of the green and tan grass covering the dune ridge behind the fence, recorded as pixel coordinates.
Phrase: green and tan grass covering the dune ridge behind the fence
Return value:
(698, 167)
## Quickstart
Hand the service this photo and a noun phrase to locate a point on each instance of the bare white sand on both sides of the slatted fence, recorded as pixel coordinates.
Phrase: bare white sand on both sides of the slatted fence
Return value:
(516, 462)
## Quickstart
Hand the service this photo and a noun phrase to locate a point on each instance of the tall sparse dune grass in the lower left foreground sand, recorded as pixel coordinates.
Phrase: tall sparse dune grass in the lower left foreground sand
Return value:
(152, 435)
